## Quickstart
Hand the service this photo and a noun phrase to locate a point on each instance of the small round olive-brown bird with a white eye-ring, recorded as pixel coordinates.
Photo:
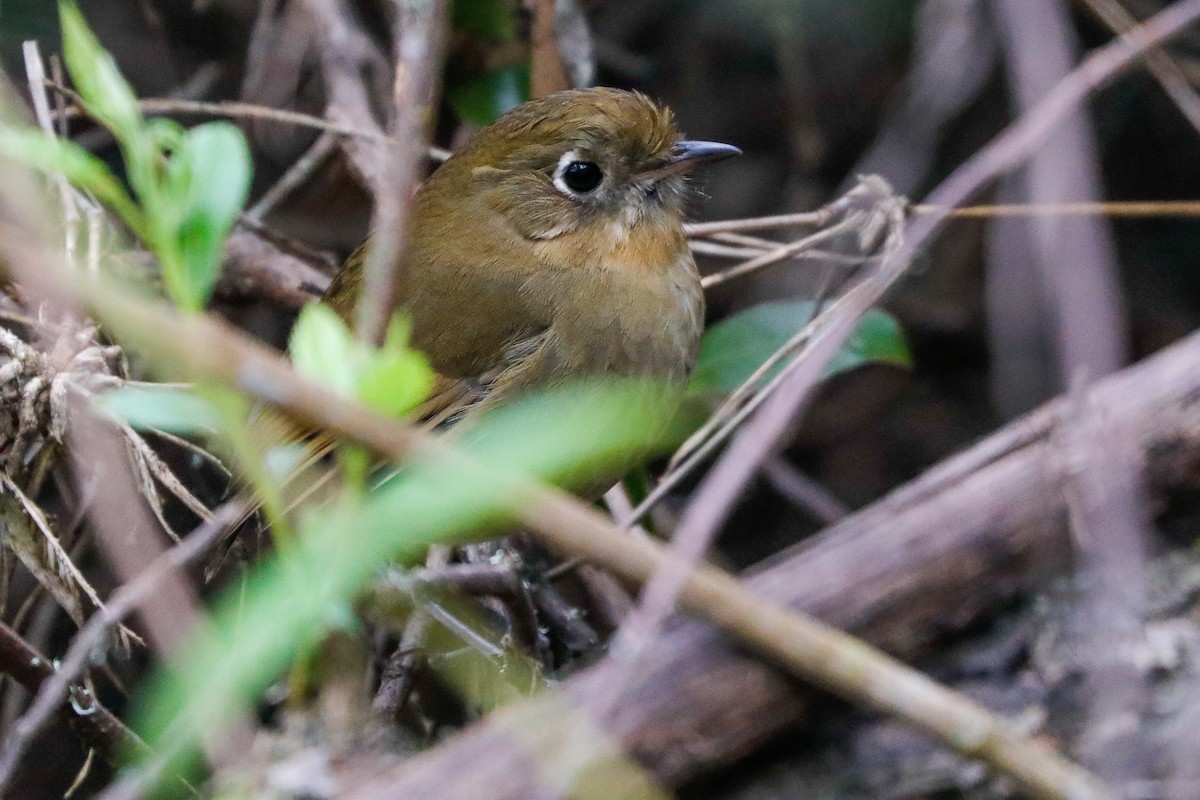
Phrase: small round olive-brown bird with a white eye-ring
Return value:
(553, 248)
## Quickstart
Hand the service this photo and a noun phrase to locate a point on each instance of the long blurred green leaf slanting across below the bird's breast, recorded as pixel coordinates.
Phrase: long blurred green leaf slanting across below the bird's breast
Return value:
(287, 604)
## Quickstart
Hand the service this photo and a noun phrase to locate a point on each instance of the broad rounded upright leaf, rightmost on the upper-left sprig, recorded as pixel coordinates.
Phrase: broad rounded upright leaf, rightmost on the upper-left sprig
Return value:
(213, 166)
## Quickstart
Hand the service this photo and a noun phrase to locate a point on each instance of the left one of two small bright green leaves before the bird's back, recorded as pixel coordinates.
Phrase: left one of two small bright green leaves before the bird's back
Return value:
(323, 350)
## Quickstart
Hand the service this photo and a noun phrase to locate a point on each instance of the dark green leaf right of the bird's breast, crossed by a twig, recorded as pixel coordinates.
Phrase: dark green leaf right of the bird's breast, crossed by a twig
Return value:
(734, 348)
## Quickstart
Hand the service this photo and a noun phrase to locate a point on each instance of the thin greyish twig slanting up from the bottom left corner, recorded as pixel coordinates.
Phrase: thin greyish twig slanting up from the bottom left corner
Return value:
(56, 685)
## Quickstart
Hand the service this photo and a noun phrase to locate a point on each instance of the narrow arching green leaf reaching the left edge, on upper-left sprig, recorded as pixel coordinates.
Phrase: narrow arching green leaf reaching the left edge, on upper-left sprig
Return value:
(49, 154)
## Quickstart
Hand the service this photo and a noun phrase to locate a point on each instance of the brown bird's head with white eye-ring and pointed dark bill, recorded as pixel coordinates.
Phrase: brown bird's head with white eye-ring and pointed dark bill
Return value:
(580, 160)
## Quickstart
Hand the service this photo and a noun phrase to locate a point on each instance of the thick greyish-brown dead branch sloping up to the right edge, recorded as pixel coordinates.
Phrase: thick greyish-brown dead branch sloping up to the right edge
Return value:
(929, 560)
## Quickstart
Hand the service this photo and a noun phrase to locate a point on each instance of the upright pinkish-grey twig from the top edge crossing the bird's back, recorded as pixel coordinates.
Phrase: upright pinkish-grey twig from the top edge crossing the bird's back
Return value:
(419, 39)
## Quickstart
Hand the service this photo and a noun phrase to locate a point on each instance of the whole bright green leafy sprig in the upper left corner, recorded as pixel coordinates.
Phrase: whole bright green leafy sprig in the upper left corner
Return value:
(189, 187)
